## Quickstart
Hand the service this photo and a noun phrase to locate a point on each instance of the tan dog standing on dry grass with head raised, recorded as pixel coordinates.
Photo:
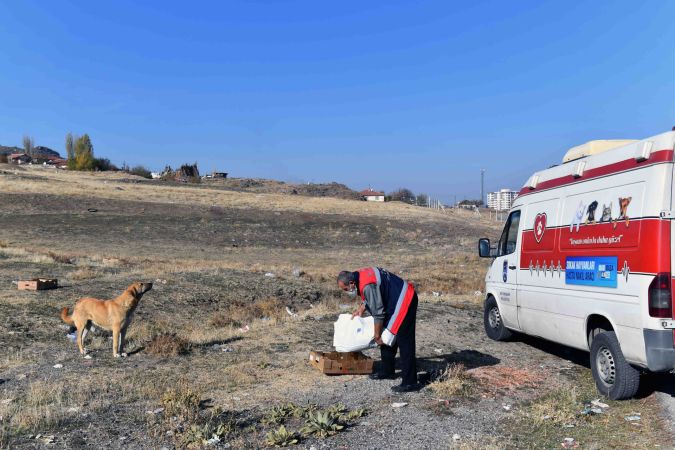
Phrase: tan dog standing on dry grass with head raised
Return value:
(113, 315)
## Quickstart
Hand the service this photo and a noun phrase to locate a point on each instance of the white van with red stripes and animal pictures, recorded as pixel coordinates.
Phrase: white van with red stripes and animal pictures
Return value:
(586, 260)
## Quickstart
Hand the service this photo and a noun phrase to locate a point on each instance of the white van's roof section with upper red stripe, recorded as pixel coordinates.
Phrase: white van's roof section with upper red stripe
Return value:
(602, 160)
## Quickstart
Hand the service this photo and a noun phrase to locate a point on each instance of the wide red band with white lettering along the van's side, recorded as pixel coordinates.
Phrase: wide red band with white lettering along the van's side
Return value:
(644, 245)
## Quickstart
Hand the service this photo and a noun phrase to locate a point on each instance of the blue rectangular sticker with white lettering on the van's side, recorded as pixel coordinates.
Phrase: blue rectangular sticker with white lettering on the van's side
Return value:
(597, 271)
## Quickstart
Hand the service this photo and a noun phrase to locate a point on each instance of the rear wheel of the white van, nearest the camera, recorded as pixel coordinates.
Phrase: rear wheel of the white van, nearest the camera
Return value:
(613, 376)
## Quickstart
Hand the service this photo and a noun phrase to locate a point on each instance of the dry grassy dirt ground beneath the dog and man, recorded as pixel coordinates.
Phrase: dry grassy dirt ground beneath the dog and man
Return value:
(214, 356)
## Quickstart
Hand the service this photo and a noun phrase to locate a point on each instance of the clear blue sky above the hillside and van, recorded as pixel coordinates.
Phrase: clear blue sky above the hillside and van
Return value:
(386, 94)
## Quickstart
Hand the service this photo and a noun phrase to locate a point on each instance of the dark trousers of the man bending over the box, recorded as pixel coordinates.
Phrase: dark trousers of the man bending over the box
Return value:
(405, 341)
